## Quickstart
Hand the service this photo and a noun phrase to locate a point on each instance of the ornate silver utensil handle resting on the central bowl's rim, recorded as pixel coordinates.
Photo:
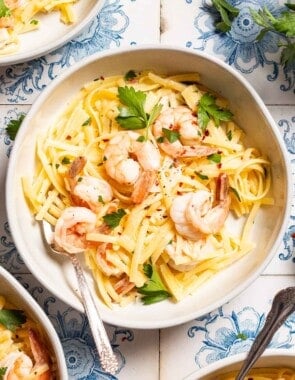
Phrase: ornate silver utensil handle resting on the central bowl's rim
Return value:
(108, 359)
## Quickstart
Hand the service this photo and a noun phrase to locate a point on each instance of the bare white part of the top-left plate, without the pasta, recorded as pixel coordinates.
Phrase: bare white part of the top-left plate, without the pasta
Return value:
(52, 32)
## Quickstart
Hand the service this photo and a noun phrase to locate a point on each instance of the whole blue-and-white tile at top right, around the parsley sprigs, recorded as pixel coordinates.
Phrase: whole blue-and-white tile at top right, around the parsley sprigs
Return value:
(190, 24)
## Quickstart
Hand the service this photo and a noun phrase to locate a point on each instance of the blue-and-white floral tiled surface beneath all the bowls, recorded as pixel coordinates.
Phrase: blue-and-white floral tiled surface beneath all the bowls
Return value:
(175, 352)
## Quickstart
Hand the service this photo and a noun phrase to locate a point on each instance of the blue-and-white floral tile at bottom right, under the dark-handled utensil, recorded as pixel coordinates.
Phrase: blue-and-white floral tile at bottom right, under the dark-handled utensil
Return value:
(225, 331)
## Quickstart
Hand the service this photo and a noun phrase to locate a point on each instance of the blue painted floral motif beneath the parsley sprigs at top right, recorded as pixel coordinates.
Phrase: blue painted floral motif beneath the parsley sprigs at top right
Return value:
(239, 46)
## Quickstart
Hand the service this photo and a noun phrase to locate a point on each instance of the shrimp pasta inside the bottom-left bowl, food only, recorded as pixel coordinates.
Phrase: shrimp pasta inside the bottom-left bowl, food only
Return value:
(23, 351)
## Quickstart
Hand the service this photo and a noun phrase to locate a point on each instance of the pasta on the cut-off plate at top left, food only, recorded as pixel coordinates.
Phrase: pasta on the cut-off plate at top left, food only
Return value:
(21, 16)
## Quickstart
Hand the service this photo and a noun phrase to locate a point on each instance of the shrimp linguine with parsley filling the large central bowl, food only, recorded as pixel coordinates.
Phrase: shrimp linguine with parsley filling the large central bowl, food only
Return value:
(146, 174)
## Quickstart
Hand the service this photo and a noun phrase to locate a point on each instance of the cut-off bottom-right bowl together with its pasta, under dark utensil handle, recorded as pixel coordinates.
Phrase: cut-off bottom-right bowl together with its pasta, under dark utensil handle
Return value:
(274, 364)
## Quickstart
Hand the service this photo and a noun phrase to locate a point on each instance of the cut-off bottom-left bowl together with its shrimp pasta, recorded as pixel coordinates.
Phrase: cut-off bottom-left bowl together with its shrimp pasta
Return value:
(30, 347)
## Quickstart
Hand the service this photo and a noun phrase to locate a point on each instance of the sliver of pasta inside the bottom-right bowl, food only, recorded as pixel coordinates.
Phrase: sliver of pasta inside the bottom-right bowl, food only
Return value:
(278, 373)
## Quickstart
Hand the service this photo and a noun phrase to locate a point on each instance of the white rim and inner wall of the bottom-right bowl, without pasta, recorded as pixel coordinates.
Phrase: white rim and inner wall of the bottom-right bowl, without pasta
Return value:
(270, 358)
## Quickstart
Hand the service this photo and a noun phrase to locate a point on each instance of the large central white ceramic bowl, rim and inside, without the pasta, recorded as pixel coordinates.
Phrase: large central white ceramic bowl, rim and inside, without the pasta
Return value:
(58, 275)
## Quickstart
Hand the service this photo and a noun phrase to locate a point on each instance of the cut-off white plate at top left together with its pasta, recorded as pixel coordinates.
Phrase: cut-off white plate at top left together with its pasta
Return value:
(32, 28)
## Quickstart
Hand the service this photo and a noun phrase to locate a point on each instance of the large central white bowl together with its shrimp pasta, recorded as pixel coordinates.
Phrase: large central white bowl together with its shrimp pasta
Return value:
(163, 170)
